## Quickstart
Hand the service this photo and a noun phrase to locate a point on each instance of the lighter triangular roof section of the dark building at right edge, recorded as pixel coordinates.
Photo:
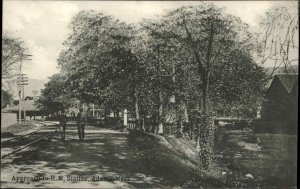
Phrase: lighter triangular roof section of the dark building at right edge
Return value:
(287, 80)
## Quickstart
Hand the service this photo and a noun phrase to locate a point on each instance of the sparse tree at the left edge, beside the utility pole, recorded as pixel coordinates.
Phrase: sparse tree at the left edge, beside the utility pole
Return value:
(13, 50)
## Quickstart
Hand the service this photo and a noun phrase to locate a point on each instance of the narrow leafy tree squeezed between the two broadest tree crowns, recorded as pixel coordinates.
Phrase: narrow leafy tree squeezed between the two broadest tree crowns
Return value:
(154, 86)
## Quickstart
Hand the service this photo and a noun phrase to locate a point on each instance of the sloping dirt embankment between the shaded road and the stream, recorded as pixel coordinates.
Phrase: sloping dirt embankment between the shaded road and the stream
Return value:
(176, 160)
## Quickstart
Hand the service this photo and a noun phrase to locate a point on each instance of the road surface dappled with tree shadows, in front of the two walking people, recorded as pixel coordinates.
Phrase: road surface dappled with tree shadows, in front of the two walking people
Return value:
(105, 156)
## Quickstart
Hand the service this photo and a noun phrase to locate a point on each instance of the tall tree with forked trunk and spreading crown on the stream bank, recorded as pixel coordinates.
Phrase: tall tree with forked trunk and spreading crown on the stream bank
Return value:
(206, 34)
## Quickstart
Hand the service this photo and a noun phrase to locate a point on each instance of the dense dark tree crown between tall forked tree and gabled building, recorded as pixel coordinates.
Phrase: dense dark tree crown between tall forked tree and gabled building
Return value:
(230, 83)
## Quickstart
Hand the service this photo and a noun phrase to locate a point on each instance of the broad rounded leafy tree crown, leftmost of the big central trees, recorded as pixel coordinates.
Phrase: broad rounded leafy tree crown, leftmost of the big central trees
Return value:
(95, 58)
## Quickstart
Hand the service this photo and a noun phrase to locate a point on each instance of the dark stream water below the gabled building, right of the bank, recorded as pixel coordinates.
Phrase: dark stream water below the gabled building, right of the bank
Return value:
(270, 158)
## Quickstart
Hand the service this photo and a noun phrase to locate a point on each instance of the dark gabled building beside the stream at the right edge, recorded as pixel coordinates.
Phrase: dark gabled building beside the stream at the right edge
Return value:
(279, 109)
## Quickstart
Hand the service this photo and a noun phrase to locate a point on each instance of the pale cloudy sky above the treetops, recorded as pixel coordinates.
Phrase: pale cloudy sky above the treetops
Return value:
(43, 25)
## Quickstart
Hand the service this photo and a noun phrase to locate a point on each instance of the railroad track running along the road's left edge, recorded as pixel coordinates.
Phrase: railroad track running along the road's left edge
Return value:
(35, 140)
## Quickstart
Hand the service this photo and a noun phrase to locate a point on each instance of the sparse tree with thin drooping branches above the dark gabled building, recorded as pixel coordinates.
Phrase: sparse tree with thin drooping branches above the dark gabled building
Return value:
(279, 39)
